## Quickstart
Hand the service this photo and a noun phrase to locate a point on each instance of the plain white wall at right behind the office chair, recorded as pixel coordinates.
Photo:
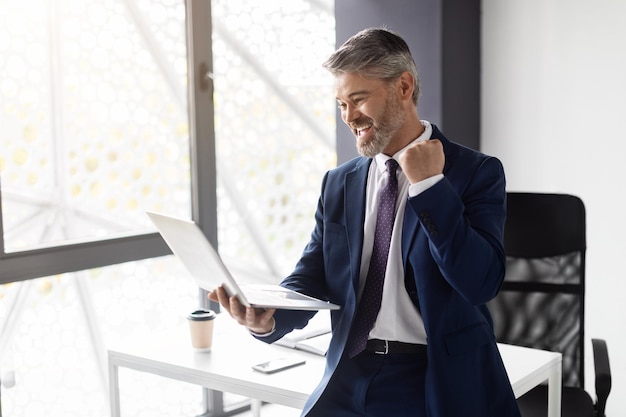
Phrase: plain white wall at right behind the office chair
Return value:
(554, 111)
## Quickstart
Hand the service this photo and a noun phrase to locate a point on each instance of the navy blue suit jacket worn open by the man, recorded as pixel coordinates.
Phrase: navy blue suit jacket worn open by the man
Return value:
(454, 263)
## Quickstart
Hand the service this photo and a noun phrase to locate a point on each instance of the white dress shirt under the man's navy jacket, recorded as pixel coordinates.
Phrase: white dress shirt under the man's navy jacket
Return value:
(398, 318)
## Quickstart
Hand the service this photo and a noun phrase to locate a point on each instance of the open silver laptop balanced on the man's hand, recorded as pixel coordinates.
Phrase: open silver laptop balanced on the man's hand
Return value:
(190, 245)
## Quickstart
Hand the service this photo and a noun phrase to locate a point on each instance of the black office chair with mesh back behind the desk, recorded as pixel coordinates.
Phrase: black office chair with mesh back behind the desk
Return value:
(542, 301)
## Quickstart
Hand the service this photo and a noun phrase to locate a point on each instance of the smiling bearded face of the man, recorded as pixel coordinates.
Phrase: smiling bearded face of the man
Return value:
(373, 110)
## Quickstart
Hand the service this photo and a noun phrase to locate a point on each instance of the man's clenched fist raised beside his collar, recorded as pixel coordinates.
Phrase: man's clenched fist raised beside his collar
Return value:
(423, 160)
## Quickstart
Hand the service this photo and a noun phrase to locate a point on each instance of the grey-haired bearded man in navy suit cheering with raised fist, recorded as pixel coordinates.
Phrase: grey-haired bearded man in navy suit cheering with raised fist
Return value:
(431, 350)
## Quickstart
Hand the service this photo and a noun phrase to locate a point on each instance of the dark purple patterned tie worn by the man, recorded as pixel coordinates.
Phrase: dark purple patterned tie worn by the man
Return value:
(371, 298)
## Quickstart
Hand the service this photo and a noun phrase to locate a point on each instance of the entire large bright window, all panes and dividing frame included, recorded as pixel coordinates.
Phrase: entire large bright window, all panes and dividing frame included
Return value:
(216, 111)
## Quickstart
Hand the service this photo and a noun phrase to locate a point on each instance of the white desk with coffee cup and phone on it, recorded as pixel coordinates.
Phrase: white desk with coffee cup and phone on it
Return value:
(227, 368)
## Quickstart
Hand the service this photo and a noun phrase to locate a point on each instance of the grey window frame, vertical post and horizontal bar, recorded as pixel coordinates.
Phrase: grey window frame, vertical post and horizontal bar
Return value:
(53, 260)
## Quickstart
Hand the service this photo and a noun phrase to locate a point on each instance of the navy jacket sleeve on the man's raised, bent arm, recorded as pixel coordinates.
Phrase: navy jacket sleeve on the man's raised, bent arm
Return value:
(463, 217)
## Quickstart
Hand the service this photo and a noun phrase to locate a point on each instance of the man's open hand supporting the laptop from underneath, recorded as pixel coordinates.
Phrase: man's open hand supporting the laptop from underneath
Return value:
(257, 320)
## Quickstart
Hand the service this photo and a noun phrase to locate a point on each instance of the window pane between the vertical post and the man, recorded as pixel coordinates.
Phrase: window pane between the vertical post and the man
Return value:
(274, 126)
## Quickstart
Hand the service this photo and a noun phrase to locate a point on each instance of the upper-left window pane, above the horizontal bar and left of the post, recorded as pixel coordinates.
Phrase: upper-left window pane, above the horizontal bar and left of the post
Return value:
(94, 119)
